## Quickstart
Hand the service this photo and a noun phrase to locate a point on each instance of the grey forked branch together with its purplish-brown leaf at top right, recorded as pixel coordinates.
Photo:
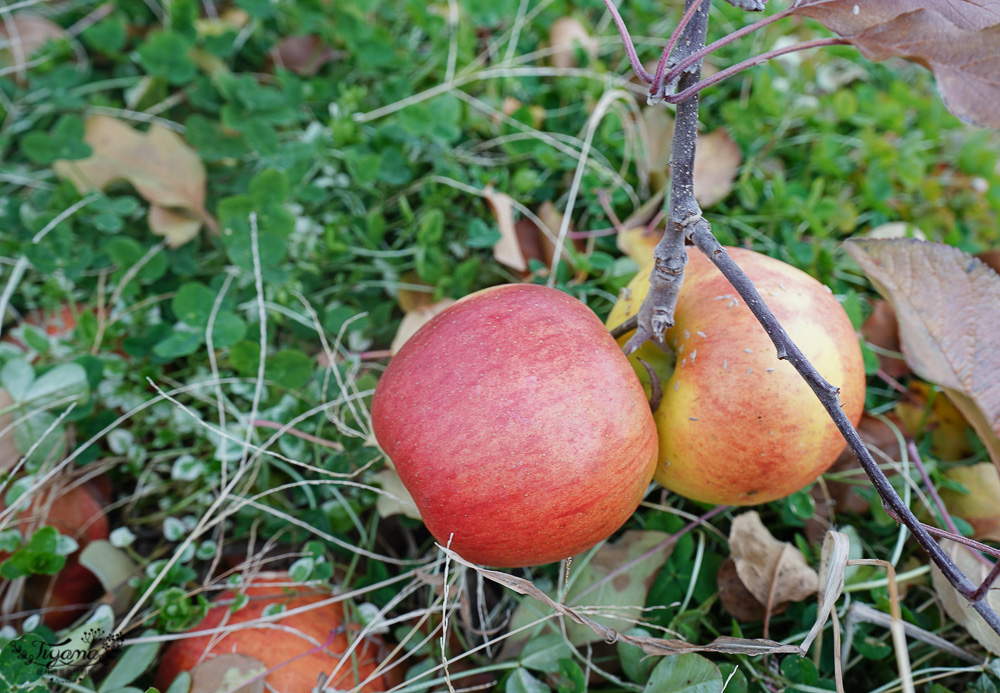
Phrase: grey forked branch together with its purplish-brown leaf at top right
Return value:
(957, 36)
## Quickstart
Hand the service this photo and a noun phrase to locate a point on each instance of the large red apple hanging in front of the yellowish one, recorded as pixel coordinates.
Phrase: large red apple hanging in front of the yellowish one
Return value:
(518, 426)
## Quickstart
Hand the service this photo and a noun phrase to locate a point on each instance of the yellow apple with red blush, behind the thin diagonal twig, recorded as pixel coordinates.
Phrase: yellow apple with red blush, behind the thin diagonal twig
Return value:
(736, 425)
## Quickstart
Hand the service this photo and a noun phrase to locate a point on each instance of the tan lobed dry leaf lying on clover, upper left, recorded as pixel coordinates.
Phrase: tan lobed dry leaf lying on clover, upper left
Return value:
(158, 163)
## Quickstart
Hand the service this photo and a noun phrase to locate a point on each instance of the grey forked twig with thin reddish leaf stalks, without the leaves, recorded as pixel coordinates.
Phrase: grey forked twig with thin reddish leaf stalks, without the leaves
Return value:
(685, 220)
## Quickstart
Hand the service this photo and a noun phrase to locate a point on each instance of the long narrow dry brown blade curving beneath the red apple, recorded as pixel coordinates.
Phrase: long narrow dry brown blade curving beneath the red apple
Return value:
(654, 646)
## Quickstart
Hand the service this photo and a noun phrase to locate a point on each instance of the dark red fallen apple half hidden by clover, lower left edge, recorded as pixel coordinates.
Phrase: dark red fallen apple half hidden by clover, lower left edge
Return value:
(78, 512)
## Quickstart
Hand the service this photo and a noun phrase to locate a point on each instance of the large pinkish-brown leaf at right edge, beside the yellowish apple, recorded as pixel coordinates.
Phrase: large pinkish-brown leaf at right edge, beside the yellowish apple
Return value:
(946, 302)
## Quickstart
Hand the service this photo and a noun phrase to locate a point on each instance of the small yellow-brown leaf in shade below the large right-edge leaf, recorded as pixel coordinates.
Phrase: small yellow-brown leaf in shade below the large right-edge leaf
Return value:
(947, 427)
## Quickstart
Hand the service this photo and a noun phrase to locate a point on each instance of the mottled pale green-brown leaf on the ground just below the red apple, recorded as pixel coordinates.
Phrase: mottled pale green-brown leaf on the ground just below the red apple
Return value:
(602, 586)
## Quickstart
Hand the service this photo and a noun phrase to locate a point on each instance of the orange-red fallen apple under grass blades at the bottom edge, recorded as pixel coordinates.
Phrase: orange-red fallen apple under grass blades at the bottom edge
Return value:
(278, 642)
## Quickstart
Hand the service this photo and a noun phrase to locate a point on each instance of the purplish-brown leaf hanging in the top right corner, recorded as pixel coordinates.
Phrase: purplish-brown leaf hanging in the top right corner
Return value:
(955, 40)
